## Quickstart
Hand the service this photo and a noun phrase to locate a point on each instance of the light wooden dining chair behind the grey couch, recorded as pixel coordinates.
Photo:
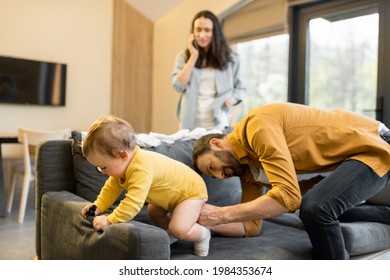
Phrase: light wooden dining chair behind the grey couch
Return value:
(29, 139)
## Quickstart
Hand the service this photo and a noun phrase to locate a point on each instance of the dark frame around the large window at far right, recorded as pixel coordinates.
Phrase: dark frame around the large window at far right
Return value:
(298, 25)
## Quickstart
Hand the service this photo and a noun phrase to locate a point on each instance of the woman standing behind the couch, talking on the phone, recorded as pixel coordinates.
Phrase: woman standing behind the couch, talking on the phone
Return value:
(207, 76)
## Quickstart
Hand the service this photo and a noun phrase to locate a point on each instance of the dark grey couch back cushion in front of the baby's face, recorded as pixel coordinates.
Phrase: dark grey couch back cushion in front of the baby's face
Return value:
(89, 179)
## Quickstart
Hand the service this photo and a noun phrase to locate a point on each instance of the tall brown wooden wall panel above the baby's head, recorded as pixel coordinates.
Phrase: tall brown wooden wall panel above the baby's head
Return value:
(132, 62)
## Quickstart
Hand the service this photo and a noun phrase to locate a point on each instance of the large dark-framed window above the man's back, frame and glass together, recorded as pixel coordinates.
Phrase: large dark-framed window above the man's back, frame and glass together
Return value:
(338, 56)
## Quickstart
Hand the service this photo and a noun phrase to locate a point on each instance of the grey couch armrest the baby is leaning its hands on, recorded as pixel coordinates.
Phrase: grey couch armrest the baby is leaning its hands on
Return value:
(66, 235)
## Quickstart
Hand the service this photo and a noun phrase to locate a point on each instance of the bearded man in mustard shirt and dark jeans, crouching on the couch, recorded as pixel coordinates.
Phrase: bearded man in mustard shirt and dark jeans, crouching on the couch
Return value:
(340, 156)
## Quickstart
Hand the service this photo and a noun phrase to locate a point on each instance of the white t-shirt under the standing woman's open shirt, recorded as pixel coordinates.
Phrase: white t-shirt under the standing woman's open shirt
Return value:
(206, 97)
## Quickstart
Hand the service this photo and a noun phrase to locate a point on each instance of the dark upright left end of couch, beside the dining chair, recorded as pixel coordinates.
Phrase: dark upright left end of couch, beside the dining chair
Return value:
(54, 171)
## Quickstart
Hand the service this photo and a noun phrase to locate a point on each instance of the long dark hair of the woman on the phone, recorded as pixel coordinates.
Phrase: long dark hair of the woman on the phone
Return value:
(219, 53)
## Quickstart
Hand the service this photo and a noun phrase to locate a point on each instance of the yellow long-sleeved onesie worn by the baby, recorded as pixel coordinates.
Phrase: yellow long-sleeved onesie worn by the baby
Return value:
(153, 178)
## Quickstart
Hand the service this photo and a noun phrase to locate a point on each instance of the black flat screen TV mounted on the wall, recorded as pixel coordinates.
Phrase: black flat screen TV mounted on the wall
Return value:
(24, 81)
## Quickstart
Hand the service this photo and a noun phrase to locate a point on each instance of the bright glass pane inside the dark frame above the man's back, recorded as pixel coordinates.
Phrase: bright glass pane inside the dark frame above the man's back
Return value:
(343, 63)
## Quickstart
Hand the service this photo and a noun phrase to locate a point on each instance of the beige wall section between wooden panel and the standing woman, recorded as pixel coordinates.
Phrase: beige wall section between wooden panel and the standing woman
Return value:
(170, 36)
